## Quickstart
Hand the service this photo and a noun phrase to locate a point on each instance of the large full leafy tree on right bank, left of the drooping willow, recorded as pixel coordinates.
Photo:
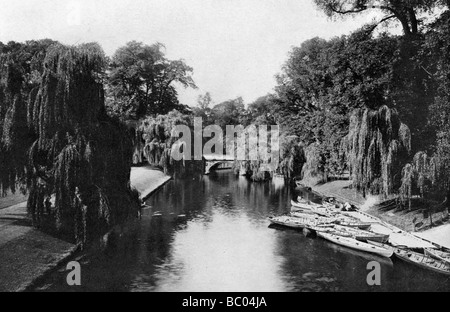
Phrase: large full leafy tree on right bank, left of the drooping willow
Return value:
(321, 84)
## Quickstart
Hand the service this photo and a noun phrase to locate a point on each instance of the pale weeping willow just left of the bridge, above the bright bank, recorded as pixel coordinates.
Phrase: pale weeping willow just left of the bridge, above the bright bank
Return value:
(155, 141)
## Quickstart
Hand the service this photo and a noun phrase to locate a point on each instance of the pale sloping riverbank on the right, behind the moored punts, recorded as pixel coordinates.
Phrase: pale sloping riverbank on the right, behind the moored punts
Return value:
(415, 221)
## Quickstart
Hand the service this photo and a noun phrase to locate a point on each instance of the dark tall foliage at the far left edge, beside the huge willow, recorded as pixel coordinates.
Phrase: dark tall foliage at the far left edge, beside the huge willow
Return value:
(21, 66)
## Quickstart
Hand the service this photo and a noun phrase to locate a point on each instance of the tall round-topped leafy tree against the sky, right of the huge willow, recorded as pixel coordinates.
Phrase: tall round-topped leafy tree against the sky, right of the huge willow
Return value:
(142, 81)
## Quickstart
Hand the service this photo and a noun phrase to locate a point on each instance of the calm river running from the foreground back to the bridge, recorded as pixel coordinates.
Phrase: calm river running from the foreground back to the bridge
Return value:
(225, 243)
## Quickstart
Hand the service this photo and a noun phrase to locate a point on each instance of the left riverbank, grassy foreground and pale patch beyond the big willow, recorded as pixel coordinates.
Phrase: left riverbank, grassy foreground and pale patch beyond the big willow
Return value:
(27, 254)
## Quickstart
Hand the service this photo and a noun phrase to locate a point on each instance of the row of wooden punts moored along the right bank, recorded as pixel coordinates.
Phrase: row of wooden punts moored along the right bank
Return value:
(332, 225)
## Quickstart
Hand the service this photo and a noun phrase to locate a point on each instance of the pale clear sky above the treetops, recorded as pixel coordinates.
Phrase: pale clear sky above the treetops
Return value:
(236, 47)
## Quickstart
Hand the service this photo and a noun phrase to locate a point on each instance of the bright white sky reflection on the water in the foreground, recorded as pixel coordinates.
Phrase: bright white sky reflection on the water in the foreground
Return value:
(225, 261)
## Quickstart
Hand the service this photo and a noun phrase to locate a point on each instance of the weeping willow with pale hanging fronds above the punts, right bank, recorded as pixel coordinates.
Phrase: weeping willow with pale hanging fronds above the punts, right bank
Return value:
(376, 147)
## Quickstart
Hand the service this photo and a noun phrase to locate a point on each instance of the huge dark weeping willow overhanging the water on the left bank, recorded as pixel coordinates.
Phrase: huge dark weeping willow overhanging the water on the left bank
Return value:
(77, 155)
